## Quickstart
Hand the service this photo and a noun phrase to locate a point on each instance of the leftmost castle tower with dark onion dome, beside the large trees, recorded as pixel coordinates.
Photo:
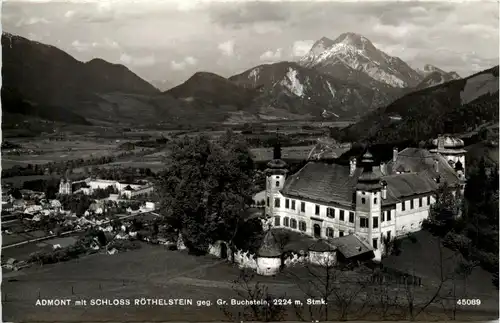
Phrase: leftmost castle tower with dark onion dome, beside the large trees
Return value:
(276, 173)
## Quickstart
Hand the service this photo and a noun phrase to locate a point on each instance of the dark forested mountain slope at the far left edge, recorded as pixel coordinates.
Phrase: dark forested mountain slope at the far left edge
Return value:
(47, 76)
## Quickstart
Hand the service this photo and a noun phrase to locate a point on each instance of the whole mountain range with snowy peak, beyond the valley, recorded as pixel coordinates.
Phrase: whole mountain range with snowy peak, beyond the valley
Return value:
(343, 78)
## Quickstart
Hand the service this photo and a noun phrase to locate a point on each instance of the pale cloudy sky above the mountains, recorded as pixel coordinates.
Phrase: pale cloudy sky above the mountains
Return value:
(168, 40)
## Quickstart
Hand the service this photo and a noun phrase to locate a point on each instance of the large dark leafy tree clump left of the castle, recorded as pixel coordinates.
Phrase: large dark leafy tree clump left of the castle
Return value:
(206, 188)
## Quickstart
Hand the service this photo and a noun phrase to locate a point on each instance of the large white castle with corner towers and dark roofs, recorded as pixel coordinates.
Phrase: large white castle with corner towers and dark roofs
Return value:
(372, 201)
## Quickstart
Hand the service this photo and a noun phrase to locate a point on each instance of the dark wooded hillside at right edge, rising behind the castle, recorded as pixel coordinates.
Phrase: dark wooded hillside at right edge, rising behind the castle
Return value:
(457, 106)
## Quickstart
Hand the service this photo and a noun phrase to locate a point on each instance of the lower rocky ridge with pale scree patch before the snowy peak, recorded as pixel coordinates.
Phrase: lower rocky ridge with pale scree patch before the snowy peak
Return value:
(299, 90)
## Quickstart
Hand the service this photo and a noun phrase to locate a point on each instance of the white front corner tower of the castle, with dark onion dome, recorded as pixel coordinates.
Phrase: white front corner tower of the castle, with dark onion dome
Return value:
(368, 202)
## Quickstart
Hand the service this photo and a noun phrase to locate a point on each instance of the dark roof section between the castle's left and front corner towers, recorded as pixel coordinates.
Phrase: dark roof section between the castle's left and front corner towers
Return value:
(323, 182)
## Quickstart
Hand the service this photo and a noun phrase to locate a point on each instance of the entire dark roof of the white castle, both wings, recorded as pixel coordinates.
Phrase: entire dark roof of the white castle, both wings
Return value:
(333, 184)
